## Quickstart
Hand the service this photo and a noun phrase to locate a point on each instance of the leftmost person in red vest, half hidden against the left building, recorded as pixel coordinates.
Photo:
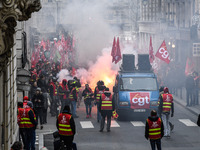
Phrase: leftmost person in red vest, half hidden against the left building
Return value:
(20, 111)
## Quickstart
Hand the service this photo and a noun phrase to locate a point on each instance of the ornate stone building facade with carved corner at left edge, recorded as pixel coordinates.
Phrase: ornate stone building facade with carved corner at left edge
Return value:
(11, 12)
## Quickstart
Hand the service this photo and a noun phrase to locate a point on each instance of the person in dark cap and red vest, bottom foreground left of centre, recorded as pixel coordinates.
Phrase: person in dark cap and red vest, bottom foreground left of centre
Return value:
(66, 127)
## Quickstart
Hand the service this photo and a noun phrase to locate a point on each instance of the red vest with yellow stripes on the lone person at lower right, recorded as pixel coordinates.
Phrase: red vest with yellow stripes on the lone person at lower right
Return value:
(154, 129)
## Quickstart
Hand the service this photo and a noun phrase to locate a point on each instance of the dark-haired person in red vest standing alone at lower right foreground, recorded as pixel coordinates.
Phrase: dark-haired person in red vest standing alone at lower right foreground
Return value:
(154, 130)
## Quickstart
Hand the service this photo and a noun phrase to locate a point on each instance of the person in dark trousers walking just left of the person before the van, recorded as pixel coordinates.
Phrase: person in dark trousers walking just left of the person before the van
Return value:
(88, 98)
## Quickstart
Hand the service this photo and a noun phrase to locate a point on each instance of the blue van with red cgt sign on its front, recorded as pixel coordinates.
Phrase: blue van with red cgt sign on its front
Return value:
(135, 91)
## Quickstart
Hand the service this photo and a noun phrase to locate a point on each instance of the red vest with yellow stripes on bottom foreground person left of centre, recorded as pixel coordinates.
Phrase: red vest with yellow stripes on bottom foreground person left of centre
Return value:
(64, 127)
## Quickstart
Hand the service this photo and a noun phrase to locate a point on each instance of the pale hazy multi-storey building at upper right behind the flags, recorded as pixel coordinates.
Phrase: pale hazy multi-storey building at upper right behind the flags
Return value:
(169, 20)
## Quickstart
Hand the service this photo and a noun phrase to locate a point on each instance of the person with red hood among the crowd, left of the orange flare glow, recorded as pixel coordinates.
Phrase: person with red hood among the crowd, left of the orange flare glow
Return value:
(64, 93)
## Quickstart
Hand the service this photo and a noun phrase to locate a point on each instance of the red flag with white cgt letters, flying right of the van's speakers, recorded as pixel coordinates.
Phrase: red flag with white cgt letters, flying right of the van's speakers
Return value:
(162, 53)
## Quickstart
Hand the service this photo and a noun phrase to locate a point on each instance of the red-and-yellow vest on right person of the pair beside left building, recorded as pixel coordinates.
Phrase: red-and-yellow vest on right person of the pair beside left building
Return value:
(26, 119)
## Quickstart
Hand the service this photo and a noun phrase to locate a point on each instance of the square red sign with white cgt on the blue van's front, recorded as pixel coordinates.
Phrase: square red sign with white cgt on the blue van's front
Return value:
(140, 100)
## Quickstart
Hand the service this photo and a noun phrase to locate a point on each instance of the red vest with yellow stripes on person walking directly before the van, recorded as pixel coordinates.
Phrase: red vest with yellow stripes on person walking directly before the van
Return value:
(106, 103)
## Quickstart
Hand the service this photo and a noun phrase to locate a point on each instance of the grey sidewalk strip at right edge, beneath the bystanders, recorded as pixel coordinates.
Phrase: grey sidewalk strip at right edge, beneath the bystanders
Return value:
(182, 101)
